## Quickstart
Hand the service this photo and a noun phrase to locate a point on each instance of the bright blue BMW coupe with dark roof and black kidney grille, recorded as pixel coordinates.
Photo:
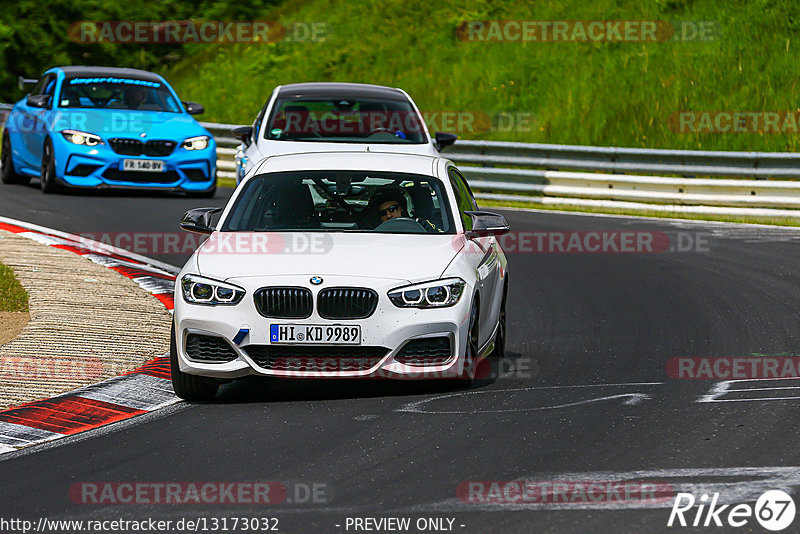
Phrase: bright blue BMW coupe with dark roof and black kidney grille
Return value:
(97, 127)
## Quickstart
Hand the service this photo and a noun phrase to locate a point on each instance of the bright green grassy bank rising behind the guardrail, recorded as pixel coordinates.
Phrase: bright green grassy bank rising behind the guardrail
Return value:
(610, 94)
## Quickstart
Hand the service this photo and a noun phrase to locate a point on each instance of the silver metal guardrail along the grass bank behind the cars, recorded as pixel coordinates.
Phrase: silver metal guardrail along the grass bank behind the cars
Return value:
(532, 171)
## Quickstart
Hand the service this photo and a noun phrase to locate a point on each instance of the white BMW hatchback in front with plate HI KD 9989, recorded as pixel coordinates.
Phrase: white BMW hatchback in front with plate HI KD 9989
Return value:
(341, 265)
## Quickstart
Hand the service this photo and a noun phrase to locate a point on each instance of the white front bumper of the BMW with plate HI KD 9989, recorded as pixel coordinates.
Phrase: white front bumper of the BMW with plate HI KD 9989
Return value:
(384, 334)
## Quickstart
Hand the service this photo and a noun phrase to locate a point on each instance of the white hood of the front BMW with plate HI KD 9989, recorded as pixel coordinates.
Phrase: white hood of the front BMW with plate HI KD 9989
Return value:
(412, 258)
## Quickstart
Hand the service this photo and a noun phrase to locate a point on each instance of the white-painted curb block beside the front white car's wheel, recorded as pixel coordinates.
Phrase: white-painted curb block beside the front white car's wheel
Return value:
(142, 392)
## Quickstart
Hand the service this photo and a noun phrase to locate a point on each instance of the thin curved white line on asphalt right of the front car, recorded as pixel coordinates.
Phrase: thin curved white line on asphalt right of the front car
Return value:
(632, 399)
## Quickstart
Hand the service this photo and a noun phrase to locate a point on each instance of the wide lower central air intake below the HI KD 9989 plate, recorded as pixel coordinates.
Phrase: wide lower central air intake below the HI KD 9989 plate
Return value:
(302, 358)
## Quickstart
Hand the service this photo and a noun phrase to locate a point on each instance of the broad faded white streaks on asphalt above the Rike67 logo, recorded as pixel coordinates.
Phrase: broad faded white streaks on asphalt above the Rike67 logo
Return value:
(745, 484)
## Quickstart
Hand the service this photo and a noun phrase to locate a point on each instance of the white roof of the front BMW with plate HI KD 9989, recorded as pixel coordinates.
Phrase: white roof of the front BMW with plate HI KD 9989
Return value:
(368, 161)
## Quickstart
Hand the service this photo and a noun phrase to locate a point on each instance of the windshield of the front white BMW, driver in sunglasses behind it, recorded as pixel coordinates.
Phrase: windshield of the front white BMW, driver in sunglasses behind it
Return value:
(342, 201)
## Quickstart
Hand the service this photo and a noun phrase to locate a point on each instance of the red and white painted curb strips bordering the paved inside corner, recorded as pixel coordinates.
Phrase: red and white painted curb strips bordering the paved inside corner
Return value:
(143, 390)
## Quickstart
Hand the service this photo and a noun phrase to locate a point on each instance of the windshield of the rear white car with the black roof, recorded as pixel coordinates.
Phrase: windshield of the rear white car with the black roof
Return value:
(360, 120)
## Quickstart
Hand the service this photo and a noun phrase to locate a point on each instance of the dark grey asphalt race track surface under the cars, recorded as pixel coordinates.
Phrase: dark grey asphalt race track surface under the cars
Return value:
(583, 394)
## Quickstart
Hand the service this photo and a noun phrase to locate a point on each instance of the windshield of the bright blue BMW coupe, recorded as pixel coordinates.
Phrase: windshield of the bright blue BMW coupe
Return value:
(117, 93)
